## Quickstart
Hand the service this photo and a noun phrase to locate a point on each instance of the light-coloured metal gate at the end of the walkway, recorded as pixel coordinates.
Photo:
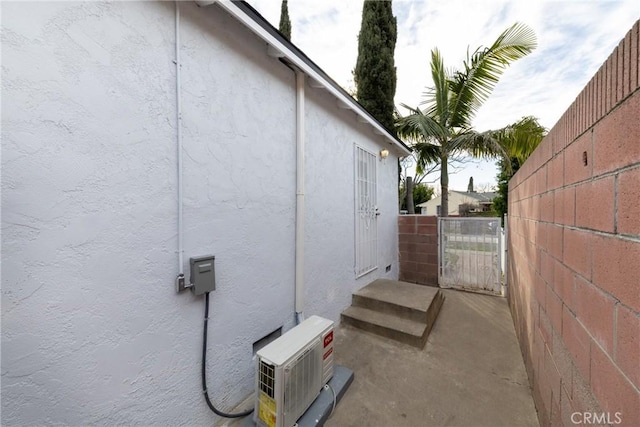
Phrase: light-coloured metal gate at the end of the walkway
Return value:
(470, 254)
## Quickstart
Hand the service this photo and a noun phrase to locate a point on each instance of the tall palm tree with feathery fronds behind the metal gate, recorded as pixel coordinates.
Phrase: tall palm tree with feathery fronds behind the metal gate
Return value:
(444, 128)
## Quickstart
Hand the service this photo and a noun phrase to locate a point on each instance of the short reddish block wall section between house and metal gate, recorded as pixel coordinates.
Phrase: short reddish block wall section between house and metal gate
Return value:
(418, 242)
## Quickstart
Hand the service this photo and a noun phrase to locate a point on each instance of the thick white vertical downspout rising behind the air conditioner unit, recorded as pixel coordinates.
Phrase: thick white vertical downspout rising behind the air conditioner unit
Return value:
(300, 128)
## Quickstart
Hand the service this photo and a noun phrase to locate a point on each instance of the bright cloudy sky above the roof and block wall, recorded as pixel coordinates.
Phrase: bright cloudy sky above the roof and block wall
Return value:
(574, 39)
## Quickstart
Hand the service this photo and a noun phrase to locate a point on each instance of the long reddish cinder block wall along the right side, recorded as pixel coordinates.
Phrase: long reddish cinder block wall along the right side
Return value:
(574, 245)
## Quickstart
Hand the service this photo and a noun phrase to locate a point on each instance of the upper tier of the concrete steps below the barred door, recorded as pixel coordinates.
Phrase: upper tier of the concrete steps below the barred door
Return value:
(402, 299)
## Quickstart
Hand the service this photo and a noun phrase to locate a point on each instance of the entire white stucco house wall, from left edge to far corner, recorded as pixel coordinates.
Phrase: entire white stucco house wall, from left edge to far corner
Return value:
(93, 331)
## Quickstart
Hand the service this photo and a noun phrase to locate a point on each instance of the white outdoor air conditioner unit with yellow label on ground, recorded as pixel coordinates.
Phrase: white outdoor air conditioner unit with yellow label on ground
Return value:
(291, 372)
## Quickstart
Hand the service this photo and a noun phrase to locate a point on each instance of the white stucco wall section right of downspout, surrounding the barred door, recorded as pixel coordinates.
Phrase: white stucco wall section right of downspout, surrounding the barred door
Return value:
(333, 133)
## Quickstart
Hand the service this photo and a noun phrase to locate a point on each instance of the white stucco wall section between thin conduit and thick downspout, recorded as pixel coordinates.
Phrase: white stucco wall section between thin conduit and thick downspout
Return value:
(239, 182)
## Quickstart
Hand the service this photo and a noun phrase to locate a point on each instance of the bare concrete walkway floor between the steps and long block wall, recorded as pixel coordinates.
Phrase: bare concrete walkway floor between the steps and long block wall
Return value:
(470, 373)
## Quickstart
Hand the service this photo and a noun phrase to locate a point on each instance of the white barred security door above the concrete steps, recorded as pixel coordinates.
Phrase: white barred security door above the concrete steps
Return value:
(366, 212)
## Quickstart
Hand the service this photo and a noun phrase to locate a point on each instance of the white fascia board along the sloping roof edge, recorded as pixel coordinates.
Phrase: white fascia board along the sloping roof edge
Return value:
(294, 59)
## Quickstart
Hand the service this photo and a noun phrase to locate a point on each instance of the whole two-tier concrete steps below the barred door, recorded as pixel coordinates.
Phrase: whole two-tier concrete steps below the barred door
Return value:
(398, 310)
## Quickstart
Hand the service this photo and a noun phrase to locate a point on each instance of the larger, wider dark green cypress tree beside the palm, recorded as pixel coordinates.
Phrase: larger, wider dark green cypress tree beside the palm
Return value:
(375, 71)
